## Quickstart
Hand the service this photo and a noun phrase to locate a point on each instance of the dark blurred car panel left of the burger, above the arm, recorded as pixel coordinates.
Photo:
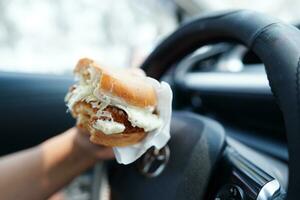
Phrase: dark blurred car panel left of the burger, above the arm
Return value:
(32, 109)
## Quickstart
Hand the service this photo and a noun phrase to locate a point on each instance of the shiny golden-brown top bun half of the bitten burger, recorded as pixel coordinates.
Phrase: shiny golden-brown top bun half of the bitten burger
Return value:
(131, 88)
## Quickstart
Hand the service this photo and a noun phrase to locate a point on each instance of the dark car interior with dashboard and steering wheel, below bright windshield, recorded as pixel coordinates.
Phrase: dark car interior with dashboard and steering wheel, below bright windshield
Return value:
(235, 120)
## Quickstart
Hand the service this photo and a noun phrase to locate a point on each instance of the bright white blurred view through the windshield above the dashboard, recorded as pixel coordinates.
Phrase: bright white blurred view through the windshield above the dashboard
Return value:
(50, 36)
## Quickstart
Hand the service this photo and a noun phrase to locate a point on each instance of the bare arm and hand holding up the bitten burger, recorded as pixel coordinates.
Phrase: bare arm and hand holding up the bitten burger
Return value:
(38, 172)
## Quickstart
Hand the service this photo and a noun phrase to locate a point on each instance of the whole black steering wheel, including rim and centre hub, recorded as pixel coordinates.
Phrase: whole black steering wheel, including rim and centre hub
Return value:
(197, 143)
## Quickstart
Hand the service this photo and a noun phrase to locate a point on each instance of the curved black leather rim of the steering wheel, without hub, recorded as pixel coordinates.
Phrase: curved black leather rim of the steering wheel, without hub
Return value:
(273, 41)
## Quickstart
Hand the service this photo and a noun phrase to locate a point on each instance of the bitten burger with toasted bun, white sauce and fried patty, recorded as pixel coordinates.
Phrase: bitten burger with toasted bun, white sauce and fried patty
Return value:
(118, 108)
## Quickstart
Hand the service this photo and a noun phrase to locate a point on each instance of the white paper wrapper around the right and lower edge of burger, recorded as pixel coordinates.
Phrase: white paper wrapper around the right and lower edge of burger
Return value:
(157, 138)
